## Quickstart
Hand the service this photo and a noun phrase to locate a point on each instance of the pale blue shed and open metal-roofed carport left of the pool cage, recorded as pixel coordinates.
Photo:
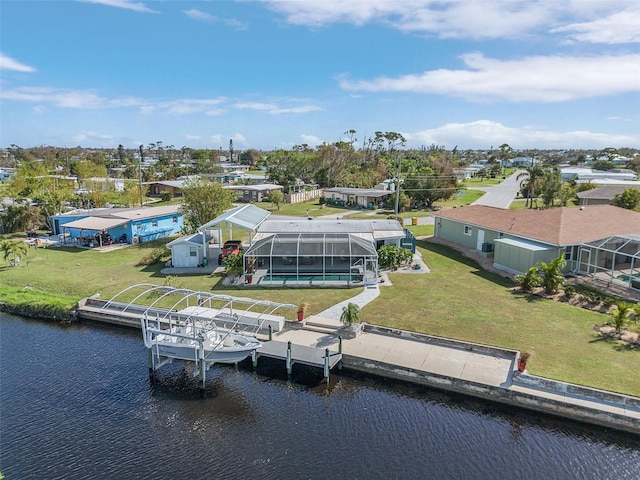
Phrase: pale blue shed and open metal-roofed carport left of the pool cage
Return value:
(203, 247)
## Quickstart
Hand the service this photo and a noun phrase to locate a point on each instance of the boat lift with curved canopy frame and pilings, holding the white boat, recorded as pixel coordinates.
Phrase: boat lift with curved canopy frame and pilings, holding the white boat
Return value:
(200, 327)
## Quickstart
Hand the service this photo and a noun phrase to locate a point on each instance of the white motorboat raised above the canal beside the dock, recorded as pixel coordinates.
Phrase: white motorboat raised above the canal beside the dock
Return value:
(197, 342)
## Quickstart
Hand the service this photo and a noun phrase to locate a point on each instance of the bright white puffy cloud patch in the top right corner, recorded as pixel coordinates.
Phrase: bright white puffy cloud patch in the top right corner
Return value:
(618, 27)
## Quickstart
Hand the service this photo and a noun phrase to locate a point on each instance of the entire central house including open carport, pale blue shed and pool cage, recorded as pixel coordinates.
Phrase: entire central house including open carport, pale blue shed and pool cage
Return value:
(292, 252)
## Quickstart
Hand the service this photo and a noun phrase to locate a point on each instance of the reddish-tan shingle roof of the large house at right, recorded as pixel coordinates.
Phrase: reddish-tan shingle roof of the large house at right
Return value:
(556, 226)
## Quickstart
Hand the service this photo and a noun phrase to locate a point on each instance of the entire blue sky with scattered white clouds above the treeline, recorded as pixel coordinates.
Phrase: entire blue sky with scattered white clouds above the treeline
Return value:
(277, 73)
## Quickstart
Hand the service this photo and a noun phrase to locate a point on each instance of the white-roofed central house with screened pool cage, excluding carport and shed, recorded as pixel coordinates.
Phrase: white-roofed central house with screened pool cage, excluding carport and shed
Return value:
(306, 252)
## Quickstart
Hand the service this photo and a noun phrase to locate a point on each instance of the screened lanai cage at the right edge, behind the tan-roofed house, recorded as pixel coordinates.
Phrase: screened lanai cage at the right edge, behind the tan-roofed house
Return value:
(614, 259)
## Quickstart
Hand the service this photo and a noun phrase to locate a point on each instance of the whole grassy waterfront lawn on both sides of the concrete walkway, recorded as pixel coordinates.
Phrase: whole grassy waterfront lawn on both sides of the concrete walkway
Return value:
(456, 299)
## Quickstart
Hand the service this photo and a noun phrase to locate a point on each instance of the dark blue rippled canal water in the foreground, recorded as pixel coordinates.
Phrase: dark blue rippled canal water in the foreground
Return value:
(76, 403)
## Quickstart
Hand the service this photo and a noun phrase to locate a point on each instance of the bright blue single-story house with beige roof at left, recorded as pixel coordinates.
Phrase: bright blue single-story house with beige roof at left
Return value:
(102, 226)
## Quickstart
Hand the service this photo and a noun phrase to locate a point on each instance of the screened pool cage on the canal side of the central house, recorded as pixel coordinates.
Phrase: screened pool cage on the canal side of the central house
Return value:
(312, 259)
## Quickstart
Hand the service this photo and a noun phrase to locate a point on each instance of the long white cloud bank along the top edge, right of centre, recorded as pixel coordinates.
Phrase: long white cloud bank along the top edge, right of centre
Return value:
(602, 21)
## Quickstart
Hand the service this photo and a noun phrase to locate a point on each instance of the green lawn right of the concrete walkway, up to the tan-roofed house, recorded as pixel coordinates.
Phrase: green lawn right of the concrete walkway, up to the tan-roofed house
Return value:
(459, 300)
